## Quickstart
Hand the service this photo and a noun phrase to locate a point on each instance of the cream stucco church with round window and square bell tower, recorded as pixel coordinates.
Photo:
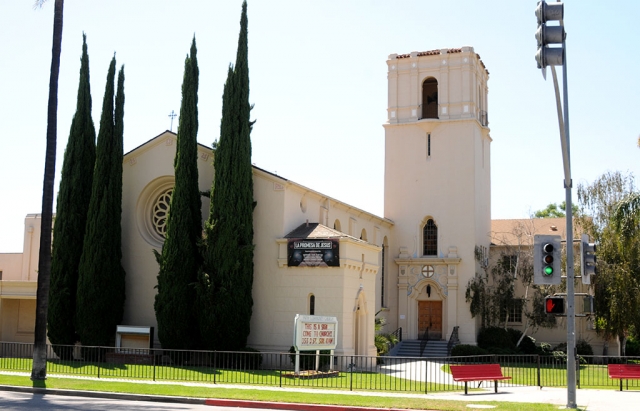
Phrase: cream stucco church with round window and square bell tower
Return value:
(316, 255)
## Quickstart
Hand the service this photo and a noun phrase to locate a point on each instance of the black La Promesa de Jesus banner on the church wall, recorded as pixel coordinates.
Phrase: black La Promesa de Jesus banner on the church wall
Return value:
(314, 252)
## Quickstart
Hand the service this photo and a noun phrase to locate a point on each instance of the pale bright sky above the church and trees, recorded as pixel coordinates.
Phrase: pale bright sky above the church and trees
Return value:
(318, 81)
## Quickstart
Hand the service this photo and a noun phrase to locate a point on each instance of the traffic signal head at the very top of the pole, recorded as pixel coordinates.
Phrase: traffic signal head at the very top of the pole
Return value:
(549, 56)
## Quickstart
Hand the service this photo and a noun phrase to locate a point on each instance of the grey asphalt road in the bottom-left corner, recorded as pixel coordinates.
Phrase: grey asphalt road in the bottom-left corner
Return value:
(35, 402)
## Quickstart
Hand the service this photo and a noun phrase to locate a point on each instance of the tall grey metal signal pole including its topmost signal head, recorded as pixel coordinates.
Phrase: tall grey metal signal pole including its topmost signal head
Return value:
(556, 56)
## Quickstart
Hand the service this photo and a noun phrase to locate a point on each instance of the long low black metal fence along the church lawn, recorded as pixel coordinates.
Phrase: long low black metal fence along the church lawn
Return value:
(350, 372)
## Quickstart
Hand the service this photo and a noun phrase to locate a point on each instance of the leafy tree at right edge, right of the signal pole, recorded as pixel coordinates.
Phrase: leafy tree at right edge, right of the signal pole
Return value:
(603, 205)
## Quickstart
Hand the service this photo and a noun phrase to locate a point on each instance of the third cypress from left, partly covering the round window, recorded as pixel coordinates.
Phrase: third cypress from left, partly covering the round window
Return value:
(179, 262)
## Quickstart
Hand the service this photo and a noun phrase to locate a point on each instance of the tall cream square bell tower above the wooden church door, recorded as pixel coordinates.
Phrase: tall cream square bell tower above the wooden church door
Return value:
(437, 187)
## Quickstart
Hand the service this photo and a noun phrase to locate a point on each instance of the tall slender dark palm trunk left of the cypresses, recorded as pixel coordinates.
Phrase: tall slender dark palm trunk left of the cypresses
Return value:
(39, 369)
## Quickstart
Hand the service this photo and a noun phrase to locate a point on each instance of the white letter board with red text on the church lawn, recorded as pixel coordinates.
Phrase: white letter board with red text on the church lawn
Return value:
(314, 332)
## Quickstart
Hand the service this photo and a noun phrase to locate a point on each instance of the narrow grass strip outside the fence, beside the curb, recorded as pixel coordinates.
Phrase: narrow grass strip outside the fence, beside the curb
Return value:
(264, 395)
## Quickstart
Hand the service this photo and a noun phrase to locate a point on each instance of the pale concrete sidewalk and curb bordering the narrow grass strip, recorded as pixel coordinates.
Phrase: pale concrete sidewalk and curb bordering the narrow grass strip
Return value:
(591, 400)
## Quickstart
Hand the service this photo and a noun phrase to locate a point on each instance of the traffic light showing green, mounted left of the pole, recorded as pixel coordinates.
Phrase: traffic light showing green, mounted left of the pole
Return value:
(546, 259)
